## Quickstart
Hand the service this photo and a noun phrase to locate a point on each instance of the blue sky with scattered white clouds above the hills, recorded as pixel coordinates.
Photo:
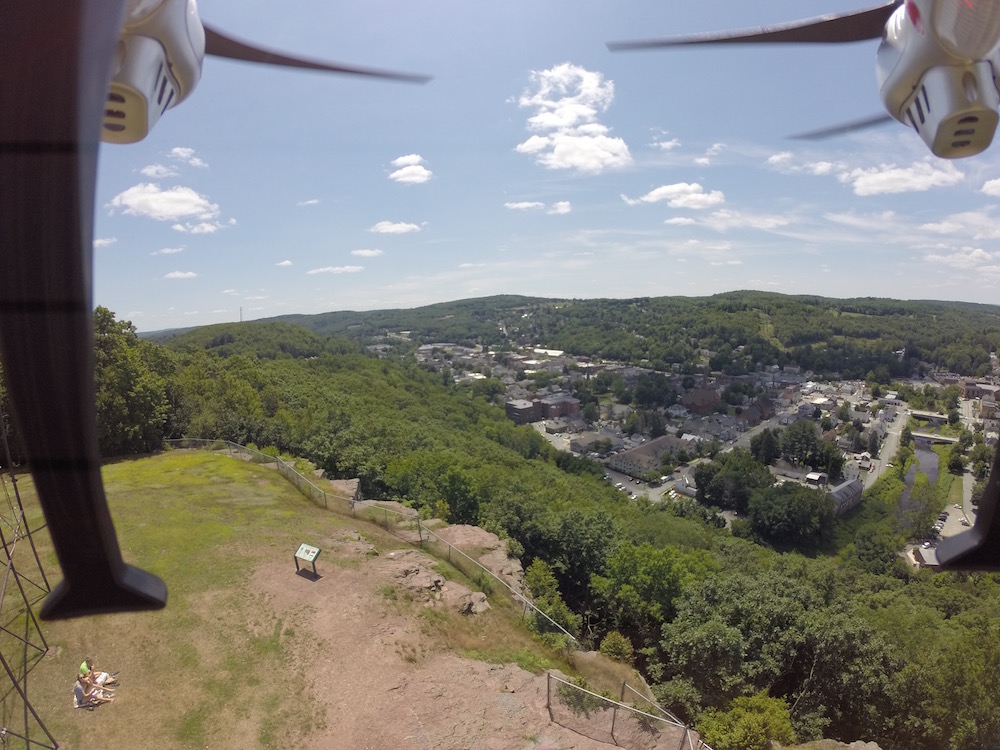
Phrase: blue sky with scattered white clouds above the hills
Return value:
(535, 162)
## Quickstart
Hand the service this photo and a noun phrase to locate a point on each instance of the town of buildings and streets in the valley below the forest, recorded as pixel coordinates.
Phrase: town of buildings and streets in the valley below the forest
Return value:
(541, 386)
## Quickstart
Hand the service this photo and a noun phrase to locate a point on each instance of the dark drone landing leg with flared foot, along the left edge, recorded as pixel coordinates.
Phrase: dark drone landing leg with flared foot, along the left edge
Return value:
(48, 168)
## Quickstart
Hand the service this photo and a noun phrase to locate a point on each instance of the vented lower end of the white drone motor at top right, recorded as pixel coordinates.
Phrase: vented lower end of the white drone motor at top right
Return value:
(954, 109)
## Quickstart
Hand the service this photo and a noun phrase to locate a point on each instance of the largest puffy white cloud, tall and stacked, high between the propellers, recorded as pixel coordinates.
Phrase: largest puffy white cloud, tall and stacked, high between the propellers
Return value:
(567, 135)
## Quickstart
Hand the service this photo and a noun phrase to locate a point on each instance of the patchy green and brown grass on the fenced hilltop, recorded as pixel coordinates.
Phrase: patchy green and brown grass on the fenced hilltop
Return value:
(217, 668)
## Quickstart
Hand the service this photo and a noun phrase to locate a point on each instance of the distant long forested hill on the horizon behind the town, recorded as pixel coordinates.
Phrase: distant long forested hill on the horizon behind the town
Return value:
(846, 337)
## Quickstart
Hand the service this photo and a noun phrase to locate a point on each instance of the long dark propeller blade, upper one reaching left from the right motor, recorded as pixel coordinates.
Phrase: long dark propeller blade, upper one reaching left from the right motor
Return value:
(854, 26)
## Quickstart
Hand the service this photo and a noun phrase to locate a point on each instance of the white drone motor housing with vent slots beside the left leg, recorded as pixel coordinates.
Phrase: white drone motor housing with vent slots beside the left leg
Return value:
(158, 65)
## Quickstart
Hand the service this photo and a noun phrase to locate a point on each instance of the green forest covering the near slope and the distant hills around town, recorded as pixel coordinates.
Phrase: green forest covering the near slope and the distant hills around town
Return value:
(821, 633)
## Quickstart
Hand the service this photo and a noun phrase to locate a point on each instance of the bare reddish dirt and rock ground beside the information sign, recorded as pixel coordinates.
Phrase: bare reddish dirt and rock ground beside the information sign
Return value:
(379, 681)
